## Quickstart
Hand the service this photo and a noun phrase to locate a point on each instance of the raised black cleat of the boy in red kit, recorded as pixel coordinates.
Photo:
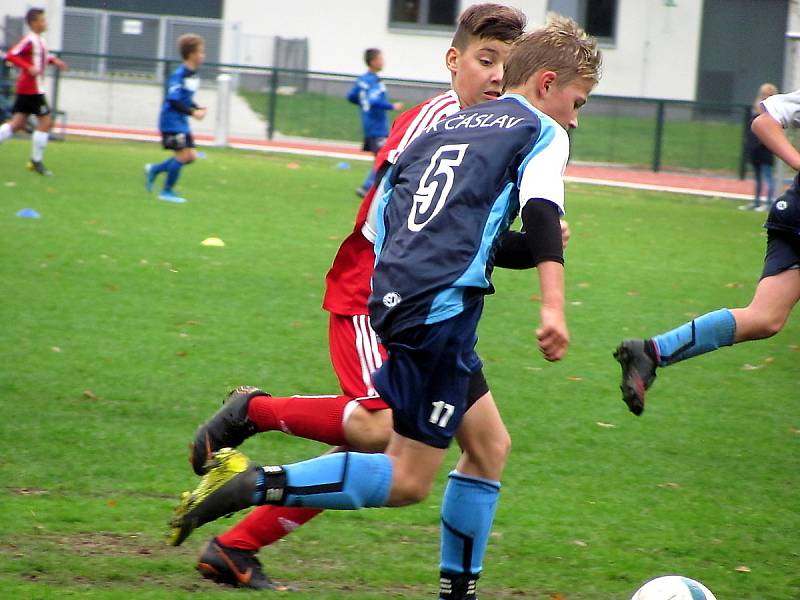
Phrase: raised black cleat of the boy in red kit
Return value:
(228, 428)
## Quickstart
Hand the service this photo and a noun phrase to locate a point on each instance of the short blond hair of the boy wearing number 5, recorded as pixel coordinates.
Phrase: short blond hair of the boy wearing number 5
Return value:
(560, 46)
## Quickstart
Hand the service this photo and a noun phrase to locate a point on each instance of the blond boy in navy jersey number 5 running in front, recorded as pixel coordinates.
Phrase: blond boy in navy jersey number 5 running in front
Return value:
(453, 192)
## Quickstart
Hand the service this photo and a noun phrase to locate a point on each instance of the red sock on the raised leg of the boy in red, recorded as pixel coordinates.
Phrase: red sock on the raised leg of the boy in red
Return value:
(312, 417)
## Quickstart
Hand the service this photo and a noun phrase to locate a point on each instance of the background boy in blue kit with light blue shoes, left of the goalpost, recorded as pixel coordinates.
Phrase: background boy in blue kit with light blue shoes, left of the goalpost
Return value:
(174, 122)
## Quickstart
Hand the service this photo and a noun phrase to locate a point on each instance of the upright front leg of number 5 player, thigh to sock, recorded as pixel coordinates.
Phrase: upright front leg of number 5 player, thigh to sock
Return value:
(470, 498)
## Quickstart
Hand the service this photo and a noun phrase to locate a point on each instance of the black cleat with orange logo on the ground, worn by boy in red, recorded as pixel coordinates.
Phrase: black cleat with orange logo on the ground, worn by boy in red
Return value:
(232, 566)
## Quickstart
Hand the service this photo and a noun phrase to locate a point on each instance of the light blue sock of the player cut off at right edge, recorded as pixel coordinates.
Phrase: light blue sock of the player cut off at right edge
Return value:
(704, 334)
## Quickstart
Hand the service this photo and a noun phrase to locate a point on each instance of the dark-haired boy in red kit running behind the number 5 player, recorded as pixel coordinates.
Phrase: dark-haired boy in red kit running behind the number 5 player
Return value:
(357, 419)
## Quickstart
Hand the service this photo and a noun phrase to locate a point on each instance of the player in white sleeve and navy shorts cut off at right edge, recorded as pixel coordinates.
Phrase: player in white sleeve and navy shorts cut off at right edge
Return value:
(777, 292)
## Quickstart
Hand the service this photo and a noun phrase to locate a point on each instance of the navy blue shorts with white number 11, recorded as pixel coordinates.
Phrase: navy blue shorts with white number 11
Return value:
(428, 375)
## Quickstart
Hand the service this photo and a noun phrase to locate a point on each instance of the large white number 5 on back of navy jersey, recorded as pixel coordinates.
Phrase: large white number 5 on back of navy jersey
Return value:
(442, 163)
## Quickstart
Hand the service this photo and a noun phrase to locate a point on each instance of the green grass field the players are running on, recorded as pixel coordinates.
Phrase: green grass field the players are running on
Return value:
(120, 332)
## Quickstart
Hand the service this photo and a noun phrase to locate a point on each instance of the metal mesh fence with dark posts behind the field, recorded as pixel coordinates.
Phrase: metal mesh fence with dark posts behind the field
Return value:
(281, 103)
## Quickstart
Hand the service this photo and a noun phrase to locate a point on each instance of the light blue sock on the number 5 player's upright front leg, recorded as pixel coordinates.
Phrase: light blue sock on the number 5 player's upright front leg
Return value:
(467, 515)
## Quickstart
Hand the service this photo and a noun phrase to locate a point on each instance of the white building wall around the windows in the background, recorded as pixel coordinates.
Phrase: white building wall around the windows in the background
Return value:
(655, 53)
